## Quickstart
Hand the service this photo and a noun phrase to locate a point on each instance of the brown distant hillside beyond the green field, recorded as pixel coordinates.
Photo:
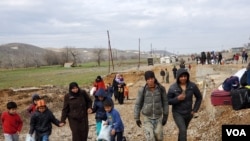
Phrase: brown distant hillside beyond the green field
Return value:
(14, 55)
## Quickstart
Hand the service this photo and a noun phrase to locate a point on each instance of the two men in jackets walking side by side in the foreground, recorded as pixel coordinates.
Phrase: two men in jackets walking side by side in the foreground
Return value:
(153, 100)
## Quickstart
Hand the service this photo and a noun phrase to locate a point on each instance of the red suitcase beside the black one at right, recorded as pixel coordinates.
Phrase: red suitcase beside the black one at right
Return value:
(220, 97)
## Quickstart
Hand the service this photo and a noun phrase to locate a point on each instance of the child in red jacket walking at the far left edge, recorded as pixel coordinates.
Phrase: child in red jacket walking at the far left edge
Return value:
(11, 122)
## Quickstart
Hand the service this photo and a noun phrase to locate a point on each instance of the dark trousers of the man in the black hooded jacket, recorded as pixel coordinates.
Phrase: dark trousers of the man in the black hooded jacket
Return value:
(182, 122)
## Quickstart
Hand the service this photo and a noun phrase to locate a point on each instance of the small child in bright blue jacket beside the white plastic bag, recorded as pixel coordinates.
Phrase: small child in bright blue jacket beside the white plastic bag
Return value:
(114, 119)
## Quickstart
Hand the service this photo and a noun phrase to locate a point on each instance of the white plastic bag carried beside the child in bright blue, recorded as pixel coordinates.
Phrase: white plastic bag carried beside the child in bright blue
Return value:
(105, 132)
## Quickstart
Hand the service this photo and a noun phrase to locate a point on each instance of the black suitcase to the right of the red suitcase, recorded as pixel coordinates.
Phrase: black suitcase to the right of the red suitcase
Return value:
(240, 98)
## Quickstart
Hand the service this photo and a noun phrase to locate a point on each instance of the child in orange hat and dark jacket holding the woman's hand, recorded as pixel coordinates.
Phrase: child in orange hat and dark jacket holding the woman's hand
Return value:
(41, 122)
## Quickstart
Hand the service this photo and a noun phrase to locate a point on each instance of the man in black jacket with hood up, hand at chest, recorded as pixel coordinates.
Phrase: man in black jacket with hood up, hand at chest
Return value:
(180, 96)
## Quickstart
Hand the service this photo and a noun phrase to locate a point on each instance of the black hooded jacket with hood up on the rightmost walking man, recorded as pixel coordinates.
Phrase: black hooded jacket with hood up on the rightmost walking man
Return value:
(185, 106)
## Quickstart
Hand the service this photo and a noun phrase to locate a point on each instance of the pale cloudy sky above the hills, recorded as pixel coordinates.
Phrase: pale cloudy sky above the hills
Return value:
(177, 26)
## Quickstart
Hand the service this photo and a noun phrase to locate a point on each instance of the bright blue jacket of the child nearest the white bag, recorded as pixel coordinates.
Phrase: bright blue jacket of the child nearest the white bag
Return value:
(114, 119)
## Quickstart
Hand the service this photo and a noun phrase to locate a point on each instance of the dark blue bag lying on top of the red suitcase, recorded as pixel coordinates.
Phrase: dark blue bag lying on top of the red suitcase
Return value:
(231, 83)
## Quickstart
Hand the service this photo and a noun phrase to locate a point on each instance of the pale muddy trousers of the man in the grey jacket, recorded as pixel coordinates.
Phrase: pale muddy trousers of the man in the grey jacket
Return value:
(153, 129)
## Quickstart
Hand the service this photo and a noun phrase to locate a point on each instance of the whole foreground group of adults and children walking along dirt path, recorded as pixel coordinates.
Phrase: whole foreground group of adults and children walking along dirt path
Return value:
(151, 109)
